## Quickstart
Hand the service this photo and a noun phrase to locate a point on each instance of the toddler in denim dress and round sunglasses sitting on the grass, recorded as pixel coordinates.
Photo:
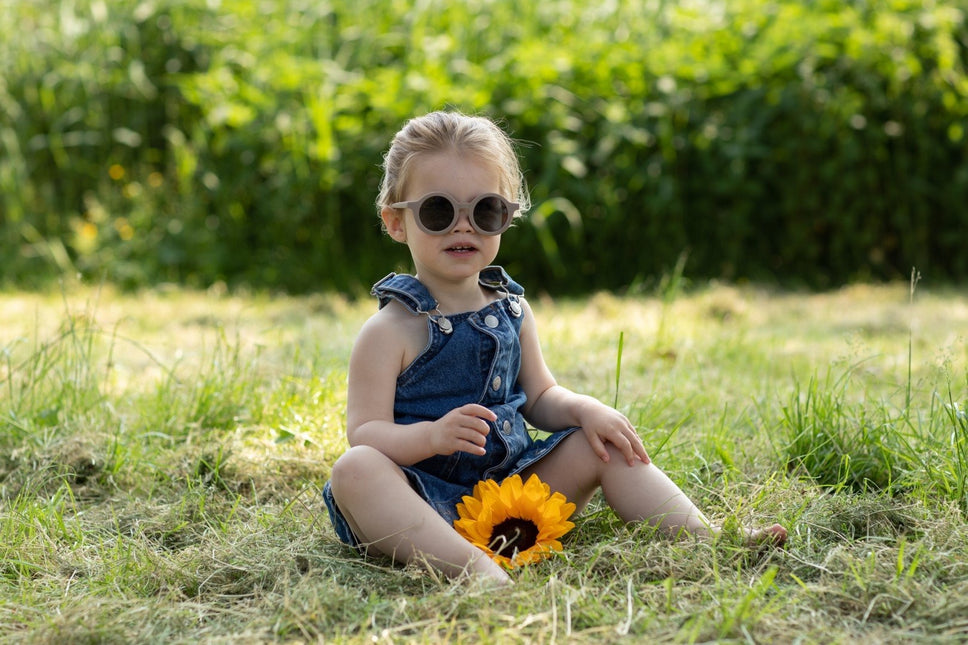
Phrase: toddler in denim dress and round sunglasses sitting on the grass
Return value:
(444, 377)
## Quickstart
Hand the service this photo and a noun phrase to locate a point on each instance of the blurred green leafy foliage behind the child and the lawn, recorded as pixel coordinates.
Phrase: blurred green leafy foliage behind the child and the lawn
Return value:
(205, 140)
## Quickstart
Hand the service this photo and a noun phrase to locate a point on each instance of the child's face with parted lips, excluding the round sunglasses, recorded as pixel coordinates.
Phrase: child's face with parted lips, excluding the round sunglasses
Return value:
(462, 252)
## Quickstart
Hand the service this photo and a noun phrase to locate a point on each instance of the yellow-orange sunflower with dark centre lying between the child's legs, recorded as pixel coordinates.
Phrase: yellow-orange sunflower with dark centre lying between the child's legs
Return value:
(515, 523)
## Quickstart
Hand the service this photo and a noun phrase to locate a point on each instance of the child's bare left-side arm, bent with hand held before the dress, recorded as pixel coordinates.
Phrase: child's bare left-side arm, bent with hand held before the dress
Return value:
(383, 348)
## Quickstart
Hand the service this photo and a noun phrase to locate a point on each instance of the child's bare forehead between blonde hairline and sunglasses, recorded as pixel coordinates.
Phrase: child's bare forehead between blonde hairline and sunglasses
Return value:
(463, 176)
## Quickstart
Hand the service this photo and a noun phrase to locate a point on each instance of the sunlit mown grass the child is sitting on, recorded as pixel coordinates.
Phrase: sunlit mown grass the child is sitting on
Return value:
(162, 455)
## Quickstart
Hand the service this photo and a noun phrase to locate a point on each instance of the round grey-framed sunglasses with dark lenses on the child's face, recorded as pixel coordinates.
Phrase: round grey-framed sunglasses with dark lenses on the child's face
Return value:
(437, 213)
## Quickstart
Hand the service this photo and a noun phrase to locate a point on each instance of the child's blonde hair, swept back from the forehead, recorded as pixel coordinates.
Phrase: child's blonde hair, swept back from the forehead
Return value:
(451, 131)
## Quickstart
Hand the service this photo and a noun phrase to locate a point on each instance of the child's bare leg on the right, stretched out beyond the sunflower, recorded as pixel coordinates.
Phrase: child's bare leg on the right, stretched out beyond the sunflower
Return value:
(641, 492)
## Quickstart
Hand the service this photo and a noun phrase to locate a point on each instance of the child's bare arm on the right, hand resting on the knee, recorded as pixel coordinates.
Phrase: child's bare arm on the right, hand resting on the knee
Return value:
(553, 407)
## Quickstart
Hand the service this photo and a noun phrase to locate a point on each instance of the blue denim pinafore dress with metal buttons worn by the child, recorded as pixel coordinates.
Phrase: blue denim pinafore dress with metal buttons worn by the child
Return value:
(471, 357)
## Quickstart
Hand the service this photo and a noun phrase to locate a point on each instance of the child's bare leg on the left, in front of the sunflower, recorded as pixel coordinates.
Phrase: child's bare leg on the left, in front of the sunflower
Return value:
(388, 516)
